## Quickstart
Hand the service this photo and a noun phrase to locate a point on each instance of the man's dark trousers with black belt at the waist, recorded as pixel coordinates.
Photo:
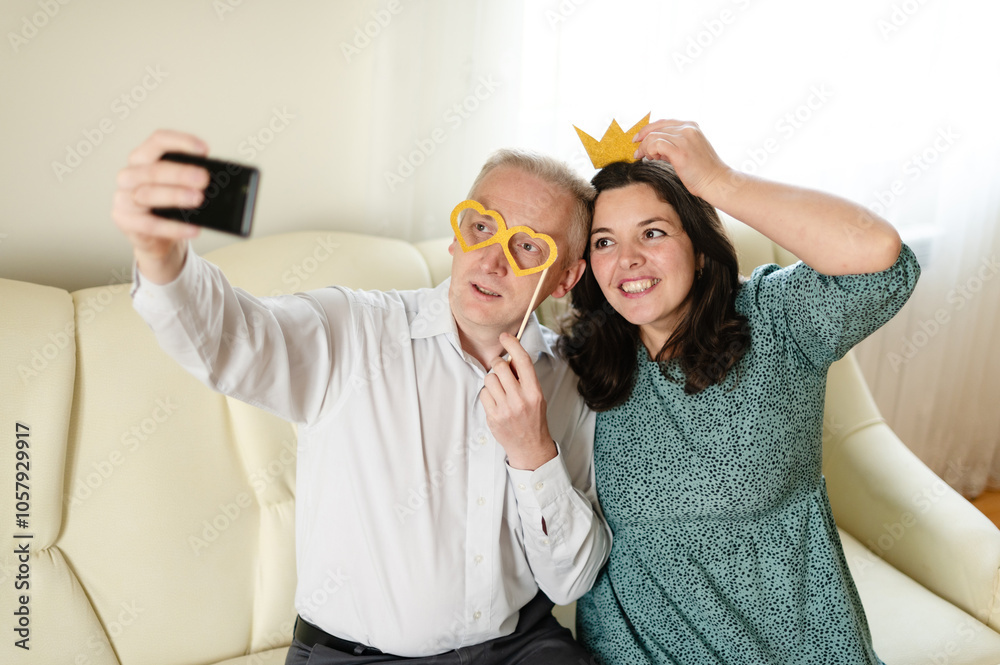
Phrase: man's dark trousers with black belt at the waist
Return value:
(538, 640)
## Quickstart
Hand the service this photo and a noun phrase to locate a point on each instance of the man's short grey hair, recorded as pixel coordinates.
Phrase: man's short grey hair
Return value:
(557, 173)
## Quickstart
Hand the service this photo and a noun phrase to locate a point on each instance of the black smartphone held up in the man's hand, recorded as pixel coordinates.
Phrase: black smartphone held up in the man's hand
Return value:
(229, 197)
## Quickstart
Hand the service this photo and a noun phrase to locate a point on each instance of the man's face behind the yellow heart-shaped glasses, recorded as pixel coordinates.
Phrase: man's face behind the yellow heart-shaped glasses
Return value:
(486, 295)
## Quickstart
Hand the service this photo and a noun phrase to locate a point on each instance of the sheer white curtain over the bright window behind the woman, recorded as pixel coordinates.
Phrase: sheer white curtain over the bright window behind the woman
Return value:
(892, 103)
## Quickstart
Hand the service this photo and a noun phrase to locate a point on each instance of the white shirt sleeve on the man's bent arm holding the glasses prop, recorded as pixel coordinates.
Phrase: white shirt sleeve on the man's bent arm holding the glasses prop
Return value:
(569, 552)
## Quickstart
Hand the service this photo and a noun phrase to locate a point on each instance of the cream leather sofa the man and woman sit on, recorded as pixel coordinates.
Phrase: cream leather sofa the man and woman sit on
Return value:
(161, 514)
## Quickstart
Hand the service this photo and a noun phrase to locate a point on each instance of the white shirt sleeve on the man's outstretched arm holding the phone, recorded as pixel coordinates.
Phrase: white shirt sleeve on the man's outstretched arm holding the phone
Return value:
(275, 353)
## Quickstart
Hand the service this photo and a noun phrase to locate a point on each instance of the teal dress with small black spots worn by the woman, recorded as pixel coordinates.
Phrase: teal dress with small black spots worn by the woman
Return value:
(725, 550)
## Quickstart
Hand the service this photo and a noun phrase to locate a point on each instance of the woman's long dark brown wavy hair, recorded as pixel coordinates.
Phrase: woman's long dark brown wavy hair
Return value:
(710, 339)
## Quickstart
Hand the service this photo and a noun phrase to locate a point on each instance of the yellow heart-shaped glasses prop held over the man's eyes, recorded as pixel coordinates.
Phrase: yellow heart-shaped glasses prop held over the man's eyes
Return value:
(521, 245)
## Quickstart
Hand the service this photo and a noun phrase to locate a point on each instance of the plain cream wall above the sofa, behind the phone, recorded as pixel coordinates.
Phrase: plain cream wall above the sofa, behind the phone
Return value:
(224, 70)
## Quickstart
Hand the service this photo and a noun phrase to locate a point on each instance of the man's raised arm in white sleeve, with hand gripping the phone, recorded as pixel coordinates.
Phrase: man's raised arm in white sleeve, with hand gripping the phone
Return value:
(274, 353)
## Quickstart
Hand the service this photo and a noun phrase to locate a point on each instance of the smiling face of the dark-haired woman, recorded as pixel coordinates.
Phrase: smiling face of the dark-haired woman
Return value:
(643, 260)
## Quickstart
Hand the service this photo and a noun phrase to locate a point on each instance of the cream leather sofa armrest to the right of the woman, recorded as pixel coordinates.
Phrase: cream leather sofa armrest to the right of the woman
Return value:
(884, 496)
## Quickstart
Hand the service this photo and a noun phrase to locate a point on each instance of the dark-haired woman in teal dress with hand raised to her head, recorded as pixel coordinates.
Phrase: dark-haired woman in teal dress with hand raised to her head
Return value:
(710, 391)
